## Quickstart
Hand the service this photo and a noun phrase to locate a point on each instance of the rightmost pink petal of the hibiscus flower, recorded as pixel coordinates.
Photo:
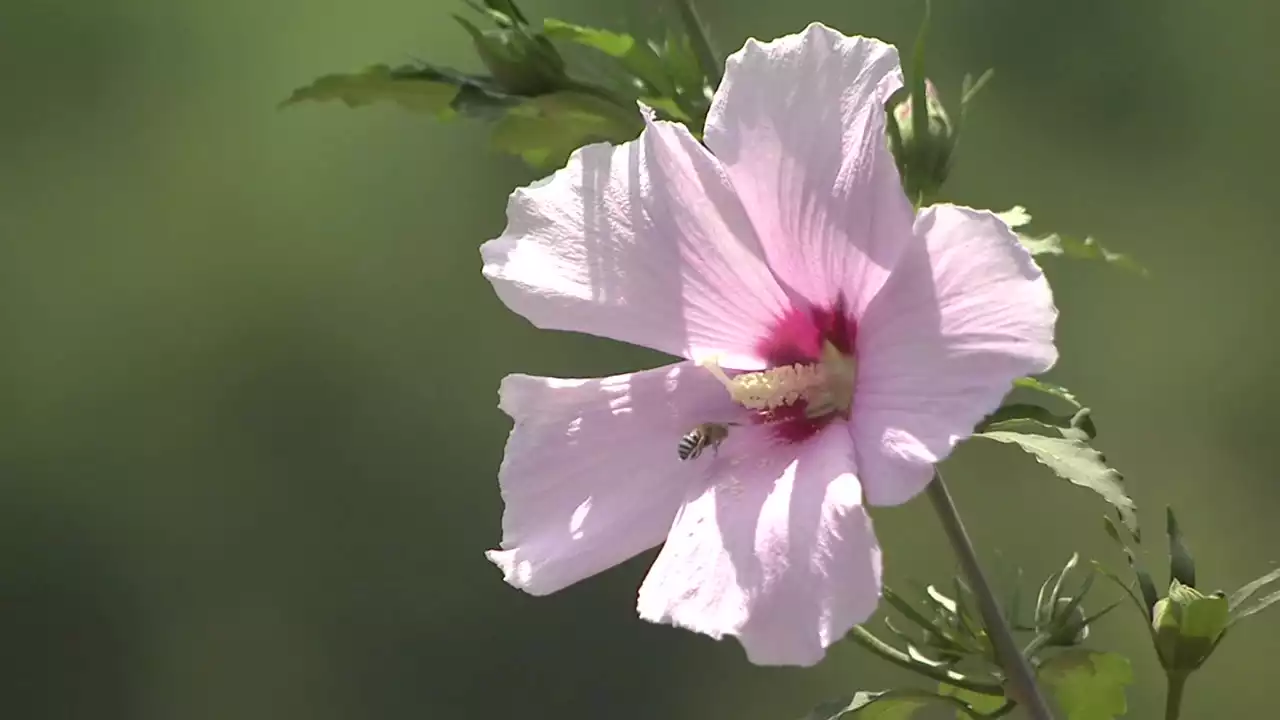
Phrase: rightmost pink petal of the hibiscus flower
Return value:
(966, 315)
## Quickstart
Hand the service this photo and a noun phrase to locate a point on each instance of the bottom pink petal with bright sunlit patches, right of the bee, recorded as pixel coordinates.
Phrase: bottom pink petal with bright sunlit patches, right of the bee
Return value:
(779, 552)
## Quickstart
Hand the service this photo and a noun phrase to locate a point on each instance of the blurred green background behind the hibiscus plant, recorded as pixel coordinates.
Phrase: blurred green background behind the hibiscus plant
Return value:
(249, 366)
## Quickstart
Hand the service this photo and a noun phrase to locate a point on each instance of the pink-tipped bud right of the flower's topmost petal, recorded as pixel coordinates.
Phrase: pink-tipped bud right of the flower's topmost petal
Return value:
(925, 162)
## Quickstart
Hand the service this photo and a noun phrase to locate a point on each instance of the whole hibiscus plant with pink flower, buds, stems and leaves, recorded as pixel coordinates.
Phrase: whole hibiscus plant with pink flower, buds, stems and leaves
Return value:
(772, 221)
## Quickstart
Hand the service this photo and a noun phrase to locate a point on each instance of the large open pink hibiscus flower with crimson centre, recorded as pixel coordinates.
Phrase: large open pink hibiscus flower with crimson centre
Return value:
(843, 341)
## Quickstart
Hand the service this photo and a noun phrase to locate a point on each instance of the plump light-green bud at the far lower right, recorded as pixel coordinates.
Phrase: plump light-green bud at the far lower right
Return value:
(1188, 626)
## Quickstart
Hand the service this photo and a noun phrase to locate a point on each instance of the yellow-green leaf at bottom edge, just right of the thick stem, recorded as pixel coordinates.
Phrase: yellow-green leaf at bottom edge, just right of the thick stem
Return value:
(1087, 685)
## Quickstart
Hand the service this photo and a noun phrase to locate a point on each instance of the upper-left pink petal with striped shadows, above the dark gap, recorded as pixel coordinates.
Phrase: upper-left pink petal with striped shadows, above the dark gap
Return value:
(643, 243)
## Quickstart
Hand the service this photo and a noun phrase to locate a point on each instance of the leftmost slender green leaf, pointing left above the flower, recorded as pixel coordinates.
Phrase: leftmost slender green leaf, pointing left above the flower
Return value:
(381, 84)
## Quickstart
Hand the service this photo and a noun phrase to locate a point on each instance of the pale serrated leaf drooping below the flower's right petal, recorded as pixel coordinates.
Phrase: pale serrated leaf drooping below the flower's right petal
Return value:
(1075, 461)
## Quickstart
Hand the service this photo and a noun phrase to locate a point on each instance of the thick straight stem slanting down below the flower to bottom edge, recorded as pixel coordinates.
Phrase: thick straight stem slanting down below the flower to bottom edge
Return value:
(1018, 672)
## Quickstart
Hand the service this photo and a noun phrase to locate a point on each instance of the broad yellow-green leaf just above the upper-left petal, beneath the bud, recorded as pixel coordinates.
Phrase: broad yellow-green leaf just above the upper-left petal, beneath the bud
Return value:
(545, 131)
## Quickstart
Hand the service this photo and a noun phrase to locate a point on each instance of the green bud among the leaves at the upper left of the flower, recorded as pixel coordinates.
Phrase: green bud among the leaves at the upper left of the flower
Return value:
(523, 63)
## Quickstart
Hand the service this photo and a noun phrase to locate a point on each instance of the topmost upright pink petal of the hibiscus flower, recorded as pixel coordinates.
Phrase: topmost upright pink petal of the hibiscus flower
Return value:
(799, 125)
